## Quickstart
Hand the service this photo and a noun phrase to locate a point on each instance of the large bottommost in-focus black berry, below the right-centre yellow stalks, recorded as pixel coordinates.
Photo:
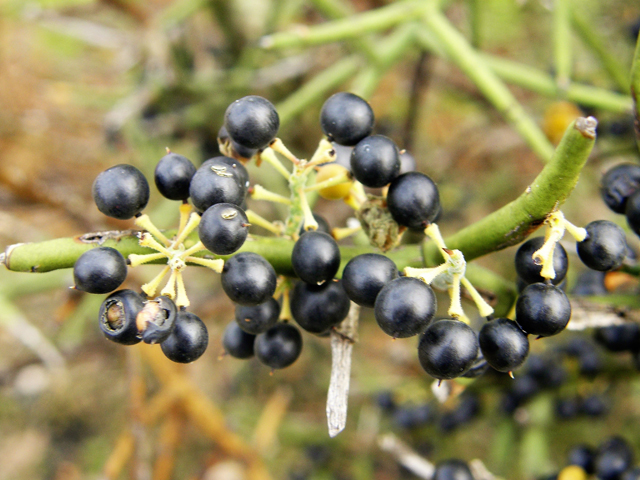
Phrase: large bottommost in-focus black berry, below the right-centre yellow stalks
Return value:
(447, 349)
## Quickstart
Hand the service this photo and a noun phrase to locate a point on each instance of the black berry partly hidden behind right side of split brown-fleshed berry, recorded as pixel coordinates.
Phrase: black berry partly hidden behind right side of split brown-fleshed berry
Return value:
(188, 341)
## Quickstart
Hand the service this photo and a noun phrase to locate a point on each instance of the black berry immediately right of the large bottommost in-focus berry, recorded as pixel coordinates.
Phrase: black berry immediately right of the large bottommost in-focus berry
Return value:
(504, 345)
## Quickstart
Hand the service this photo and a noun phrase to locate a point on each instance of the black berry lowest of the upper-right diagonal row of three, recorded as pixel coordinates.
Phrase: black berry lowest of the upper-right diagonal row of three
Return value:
(413, 200)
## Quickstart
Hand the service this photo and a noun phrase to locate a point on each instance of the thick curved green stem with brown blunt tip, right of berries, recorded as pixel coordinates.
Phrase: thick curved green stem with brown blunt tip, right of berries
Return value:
(515, 221)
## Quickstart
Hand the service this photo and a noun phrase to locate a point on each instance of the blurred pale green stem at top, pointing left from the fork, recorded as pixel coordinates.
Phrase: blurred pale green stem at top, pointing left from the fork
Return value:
(348, 28)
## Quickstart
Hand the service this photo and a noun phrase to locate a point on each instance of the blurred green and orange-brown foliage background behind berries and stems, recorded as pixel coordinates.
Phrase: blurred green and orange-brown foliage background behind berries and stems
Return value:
(87, 84)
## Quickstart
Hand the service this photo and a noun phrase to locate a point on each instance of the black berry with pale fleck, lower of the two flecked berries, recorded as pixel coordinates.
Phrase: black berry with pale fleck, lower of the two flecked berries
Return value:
(223, 228)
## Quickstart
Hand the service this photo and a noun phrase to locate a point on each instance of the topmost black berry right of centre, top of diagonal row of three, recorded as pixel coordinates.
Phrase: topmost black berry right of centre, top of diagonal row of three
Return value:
(346, 118)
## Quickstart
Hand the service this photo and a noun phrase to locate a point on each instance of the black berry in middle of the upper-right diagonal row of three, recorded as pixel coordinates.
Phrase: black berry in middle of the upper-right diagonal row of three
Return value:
(375, 161)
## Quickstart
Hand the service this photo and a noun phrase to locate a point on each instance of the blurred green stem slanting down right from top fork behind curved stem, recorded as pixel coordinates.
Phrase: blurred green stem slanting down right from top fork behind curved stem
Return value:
(468, 60)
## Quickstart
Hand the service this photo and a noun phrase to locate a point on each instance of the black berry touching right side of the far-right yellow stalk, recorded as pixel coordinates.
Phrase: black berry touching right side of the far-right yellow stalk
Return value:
(604, 248)
